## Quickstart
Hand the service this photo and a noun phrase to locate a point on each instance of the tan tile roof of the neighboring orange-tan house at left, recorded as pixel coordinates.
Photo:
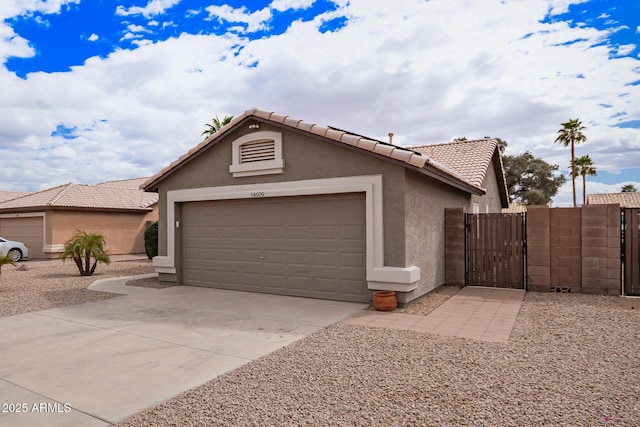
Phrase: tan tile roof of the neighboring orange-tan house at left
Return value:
(85, 197)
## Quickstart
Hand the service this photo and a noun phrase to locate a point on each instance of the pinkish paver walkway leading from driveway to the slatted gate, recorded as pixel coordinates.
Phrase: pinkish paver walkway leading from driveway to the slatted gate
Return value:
(486, 314)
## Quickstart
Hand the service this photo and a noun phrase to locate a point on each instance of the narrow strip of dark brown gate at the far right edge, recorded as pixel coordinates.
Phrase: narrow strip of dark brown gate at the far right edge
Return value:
(631, 250)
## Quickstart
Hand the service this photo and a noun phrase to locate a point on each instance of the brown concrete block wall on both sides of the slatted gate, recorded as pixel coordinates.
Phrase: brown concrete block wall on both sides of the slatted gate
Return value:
(568, 249)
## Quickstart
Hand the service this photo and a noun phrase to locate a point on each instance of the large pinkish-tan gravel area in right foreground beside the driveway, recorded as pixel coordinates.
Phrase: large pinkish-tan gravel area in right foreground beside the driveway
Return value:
(572, 360)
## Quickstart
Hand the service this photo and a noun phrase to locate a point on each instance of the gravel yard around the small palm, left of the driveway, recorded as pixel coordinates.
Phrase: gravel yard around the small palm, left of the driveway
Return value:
(55, 285)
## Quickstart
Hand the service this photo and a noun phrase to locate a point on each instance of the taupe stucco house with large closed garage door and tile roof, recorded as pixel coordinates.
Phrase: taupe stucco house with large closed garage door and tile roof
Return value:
(279, 205)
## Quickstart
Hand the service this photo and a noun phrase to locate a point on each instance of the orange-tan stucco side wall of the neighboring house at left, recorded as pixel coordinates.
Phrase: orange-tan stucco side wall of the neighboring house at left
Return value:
(123, 232)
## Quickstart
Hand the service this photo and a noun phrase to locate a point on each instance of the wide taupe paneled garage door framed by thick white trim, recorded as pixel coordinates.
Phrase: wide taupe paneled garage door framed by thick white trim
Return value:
(311, 246)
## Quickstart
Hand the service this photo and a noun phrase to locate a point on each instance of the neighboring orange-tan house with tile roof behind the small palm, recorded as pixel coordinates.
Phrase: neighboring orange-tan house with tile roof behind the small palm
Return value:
(46, 219)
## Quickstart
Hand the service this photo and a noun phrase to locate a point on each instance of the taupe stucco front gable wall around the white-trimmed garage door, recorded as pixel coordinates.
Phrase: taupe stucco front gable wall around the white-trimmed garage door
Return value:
(305, 158)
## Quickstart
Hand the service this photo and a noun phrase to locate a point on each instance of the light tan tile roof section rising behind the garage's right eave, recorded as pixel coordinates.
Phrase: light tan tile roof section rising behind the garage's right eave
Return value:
(471, 159)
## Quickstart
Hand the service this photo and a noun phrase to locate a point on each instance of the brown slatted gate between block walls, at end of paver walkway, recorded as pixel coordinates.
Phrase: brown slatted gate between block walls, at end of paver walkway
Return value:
(496, 250)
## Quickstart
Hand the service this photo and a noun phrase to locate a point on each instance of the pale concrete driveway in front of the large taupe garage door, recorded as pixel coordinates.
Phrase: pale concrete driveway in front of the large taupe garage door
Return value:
(98, 363)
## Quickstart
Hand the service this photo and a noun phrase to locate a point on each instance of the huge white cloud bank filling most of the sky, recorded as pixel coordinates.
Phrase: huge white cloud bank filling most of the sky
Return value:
(424, 70)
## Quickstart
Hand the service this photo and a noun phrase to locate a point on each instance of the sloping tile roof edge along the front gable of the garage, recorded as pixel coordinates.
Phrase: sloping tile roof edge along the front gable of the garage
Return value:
(409, 157)
